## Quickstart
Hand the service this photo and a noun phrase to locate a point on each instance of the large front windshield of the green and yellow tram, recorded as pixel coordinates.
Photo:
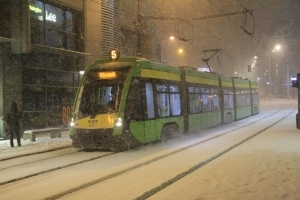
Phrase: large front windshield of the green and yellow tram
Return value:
(100, 97)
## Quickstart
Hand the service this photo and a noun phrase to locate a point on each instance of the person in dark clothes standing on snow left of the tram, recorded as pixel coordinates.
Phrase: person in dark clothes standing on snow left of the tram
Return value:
(14, 117)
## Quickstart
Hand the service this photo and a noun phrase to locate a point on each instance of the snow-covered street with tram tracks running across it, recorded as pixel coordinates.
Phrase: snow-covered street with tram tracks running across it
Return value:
(255, 158)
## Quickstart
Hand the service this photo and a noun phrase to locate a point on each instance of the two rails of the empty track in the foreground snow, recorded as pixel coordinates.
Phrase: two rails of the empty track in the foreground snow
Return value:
(185, 173)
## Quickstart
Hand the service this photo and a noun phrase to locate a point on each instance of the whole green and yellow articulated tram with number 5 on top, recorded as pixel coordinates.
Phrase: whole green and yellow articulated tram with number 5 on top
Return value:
(127, 102)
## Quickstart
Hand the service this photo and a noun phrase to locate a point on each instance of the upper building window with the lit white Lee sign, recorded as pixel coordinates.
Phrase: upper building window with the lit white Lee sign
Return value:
(55, 26)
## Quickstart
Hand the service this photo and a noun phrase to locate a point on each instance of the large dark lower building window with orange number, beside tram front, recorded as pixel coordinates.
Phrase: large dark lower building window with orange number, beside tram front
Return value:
(49, 84)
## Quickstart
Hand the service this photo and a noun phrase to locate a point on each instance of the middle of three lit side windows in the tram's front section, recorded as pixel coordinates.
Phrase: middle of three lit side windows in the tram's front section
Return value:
(163, 100)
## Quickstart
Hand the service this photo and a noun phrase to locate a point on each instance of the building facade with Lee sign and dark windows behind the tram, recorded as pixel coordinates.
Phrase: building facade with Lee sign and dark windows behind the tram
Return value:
(45, 45)
